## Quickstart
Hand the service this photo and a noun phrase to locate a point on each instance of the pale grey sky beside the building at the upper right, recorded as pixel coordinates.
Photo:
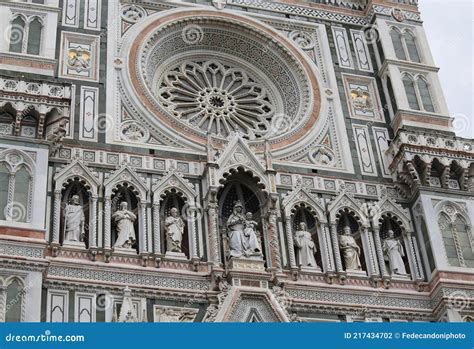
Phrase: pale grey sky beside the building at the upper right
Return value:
(449, 28)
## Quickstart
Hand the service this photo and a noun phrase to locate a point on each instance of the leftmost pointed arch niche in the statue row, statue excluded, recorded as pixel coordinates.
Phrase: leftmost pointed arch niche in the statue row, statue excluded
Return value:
(76, 179)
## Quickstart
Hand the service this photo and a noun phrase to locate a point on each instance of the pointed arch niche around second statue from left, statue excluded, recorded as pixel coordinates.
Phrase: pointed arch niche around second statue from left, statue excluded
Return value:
(124, 185)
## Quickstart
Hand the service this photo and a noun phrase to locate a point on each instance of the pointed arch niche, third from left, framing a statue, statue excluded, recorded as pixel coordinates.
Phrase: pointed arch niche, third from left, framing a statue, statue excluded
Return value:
(172, 190)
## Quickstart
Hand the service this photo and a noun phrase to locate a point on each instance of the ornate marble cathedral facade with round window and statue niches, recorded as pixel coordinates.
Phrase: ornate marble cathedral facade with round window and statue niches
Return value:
(239, 160)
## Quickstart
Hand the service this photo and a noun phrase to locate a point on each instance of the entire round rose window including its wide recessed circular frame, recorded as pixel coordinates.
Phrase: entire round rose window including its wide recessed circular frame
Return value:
(195, 76)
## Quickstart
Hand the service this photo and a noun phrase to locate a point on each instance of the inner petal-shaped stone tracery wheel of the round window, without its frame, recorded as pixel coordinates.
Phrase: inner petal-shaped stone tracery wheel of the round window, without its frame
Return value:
(217, 98)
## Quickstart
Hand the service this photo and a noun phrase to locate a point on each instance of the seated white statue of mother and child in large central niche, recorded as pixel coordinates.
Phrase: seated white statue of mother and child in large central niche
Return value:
(243, 241)
